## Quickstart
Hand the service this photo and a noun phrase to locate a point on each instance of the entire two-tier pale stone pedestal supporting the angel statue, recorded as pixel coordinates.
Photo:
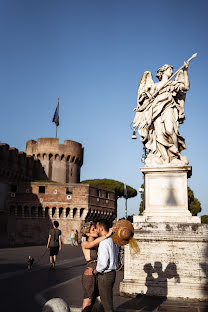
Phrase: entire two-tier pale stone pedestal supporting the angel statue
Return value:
(173, 245)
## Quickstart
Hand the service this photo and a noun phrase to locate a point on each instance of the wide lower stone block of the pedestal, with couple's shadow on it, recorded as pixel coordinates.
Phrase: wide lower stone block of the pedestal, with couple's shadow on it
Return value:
(173, 261)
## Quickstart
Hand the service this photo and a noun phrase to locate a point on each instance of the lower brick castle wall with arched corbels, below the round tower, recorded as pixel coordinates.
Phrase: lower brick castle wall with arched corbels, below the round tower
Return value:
(36, 205)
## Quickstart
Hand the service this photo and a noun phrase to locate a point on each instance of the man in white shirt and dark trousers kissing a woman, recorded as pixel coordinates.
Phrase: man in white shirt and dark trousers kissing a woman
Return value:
(106, 266)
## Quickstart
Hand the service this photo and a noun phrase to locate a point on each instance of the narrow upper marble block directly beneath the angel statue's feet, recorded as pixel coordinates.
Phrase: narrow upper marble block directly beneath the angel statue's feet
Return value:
(166, 191)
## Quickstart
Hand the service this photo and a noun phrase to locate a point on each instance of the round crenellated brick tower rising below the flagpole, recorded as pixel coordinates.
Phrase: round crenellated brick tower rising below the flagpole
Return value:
(61, 162)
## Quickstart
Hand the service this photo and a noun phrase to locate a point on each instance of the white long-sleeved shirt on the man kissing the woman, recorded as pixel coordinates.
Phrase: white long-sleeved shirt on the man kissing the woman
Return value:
(107, 256)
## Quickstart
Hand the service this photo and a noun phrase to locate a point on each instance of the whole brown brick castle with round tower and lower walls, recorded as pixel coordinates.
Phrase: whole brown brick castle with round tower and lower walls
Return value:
(43, 185)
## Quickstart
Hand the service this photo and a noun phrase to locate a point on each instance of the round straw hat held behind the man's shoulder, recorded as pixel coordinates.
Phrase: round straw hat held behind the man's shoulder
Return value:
(123, 232)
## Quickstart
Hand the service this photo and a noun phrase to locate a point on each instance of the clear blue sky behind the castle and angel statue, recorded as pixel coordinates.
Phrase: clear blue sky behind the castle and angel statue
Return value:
(92, 54)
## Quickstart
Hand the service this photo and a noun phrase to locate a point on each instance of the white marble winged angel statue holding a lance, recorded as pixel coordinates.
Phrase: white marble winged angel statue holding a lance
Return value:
(160, 110)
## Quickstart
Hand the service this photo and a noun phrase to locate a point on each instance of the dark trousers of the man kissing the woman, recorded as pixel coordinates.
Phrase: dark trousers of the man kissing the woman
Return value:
(105, 285)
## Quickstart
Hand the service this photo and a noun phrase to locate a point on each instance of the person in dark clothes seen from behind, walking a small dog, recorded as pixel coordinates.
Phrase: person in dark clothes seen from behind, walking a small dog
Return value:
(54, 242)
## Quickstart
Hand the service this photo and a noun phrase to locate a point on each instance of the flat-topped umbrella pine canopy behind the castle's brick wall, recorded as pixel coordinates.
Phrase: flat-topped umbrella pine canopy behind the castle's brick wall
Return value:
(113, 185)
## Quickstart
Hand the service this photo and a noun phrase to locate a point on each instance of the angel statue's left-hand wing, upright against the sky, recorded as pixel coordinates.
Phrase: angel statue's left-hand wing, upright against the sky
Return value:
(145, 85)
